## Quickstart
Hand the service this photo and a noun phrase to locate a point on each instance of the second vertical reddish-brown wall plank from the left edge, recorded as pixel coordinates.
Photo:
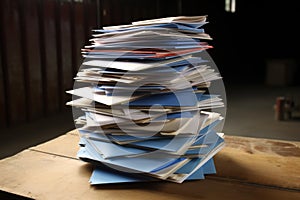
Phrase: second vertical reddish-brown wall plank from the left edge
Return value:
(33, 59)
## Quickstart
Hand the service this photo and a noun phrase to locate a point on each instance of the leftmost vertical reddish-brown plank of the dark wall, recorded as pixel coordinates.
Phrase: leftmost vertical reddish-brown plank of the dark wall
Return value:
(13, 69)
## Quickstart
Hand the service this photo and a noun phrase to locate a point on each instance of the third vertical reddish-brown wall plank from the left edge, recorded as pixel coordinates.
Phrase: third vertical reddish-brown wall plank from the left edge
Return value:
(47, 9)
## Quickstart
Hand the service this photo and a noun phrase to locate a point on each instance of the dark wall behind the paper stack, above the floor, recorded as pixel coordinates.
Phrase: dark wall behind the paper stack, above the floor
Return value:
(41, 40)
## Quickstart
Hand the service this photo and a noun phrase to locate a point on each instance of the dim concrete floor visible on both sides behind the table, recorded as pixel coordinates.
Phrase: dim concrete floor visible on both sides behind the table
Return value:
(249, 113)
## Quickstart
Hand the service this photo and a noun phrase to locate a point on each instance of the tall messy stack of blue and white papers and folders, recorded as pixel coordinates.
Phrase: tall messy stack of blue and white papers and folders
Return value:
(147, 109)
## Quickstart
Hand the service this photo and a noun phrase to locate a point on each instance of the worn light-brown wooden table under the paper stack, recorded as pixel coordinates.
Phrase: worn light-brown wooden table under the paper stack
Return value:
(247, 168)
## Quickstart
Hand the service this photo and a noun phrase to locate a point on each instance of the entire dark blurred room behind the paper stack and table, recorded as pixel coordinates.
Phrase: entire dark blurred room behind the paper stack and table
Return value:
(256, 48)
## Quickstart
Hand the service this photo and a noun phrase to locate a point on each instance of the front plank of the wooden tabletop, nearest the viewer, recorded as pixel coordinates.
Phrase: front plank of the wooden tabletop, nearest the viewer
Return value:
(42, 176)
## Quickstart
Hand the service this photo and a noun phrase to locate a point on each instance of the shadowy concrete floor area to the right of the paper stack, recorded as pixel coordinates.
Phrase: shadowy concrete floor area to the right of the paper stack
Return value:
(250, 112)
